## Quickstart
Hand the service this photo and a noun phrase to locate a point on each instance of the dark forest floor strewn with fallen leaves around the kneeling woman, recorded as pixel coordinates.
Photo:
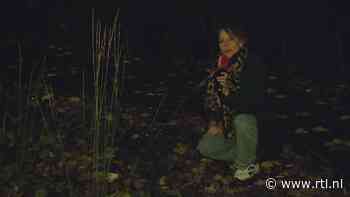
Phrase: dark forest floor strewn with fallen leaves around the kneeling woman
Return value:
(304, 138)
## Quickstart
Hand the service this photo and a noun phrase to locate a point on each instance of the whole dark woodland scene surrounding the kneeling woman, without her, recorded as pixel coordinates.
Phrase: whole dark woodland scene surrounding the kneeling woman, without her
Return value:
(103, 98)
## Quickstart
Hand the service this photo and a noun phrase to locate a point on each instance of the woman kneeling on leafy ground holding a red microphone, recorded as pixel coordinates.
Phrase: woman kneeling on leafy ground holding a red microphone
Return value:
(234, 100)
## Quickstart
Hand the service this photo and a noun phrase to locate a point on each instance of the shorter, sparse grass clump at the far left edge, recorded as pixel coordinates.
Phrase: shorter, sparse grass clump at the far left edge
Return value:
(24, 126)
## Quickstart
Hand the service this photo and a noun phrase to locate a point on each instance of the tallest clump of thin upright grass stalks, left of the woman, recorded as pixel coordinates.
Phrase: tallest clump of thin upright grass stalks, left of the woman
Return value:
(106, 57)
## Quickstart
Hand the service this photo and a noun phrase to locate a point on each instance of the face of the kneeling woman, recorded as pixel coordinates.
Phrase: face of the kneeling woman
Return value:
(227, 44)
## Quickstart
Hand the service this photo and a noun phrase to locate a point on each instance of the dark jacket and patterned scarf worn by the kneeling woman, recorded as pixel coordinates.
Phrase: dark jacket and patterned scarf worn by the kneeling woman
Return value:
(245, 85)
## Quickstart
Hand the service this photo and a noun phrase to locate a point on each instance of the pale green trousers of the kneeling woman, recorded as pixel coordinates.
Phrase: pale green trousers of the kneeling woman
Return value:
(241, 149)
